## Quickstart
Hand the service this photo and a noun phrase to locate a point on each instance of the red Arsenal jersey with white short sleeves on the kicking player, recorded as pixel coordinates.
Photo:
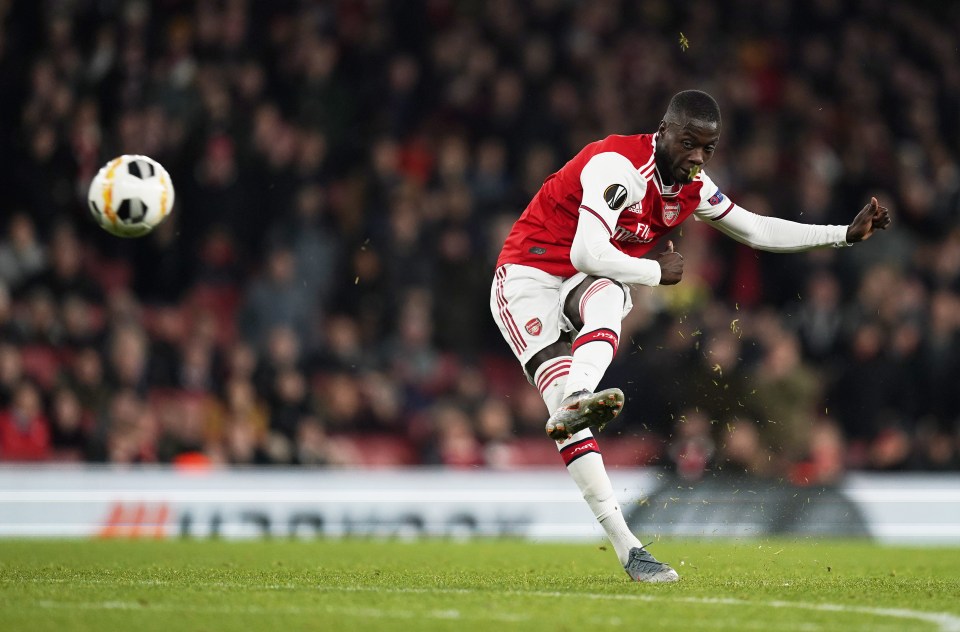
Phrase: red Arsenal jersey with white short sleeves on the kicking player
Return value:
(616, 180)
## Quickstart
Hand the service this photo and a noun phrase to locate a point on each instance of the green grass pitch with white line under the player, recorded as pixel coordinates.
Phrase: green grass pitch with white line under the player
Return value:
(168, 586)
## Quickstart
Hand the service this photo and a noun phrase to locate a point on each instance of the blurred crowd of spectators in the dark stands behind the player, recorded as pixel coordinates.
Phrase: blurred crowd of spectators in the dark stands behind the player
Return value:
(346, 172)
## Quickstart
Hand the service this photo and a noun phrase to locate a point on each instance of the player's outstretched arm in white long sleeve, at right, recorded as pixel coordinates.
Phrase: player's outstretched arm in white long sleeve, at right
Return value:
(779, 235)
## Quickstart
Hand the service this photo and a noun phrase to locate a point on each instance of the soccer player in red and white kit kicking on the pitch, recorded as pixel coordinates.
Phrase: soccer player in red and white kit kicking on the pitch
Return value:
(560, 289)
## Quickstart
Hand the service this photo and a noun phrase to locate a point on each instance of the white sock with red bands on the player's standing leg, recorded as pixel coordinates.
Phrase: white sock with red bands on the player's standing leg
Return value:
(582, 457)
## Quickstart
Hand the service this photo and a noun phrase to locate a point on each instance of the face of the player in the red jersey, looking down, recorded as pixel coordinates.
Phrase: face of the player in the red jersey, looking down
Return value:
(683, 150)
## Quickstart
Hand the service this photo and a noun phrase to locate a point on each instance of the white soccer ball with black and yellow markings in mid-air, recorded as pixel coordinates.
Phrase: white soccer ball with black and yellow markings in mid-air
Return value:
(130, 196)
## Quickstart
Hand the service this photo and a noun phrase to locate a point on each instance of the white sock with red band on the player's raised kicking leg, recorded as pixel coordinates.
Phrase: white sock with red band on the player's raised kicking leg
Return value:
(601, 310)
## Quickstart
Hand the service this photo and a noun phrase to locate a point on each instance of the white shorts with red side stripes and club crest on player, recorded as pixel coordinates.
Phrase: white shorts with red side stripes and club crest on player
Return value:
(527, 305)
